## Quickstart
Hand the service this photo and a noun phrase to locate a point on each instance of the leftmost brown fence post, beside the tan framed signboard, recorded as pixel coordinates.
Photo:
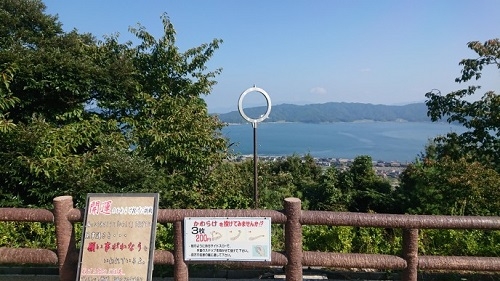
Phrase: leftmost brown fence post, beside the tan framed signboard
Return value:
(65, 236)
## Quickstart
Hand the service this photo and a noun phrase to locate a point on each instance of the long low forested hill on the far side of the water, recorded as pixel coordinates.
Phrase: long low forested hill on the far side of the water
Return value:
(334, 112)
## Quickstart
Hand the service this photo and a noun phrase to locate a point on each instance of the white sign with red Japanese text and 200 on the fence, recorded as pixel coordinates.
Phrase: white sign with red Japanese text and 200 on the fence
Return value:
(228, 239)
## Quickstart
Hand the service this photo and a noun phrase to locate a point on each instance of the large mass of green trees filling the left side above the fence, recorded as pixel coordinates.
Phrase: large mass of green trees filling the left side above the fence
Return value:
(150, 130)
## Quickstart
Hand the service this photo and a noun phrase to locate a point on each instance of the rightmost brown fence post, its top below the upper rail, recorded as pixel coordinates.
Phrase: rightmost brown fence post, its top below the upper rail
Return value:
(410, 254)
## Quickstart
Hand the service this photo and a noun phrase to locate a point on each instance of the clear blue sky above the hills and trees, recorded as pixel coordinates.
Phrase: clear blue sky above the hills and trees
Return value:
(314, 51)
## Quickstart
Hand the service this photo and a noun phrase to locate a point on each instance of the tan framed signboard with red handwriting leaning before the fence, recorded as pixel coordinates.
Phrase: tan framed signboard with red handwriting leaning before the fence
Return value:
(118, 237)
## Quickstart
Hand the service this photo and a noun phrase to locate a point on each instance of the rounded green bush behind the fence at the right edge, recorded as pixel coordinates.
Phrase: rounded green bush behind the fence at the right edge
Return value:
(449, 187)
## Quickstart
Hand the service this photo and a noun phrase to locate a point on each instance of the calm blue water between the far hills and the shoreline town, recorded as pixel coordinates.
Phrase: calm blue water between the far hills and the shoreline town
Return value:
(385, 141)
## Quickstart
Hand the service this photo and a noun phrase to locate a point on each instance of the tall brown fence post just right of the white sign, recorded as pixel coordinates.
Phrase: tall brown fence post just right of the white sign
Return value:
(293, 239)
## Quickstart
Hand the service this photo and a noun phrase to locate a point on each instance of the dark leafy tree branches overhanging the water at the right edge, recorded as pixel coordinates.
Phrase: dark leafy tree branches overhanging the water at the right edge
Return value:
(481, 118)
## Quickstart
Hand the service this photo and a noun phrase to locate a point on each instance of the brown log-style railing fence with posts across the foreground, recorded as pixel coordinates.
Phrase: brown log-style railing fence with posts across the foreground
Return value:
(293, 258)
